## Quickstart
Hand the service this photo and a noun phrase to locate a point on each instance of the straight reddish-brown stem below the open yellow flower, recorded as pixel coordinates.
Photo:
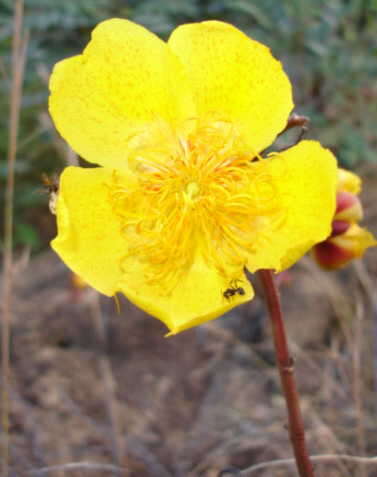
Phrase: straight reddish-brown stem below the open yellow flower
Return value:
(285, 364)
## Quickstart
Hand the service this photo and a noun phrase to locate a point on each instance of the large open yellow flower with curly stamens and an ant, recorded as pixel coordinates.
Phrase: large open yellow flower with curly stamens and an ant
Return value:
(183, 201)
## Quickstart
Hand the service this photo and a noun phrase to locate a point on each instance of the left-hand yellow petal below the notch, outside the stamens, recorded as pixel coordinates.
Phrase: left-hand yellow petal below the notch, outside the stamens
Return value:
(89, 239)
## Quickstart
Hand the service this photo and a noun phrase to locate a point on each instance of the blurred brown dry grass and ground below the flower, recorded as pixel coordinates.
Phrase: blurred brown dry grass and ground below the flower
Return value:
(89, 385)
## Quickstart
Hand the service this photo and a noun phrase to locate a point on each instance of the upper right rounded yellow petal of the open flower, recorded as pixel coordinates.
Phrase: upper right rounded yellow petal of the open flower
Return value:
(234, 78)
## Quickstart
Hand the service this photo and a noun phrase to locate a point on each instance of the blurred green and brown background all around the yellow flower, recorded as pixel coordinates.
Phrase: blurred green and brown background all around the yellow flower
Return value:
(91, 385)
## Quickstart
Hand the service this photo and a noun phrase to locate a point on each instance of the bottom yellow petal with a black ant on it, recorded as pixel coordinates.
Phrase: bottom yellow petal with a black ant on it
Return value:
(198, 297)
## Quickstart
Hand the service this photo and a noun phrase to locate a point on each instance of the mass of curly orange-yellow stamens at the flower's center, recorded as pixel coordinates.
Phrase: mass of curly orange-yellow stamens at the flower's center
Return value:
(200, 193)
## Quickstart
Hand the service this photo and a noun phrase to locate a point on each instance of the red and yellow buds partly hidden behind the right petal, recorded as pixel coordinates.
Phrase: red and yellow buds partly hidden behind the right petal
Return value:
(347, 240)
